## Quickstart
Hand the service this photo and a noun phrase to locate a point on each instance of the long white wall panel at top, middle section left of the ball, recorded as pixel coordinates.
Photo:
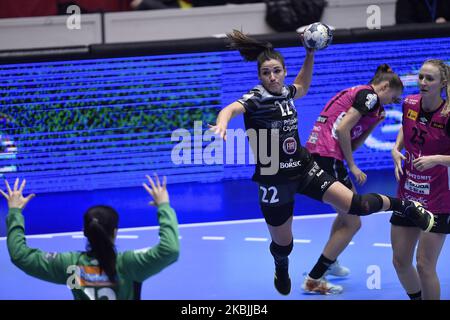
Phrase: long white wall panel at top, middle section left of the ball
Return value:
(183, 24)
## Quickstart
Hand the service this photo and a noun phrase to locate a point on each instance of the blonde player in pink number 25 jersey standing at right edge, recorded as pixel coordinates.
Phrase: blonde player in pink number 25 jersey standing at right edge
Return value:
(424, 177)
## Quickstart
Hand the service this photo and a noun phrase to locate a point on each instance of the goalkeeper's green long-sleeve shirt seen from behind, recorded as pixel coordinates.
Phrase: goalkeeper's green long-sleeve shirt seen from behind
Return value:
(81, 272)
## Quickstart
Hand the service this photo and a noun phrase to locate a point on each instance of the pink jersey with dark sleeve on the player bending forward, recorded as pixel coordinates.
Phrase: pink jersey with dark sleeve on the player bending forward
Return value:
(323, 139)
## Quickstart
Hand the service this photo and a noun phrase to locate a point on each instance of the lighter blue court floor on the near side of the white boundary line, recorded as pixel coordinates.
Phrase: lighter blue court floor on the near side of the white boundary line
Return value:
(230, 260)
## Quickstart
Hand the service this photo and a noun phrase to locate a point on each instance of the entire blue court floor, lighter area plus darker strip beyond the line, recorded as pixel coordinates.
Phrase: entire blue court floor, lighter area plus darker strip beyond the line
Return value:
(223, 256)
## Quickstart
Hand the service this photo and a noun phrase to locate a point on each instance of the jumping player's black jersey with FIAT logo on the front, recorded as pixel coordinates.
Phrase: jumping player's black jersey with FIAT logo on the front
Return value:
(274, 120)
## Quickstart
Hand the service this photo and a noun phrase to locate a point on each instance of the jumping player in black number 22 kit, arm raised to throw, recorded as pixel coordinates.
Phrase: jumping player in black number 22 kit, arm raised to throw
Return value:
(266, 108)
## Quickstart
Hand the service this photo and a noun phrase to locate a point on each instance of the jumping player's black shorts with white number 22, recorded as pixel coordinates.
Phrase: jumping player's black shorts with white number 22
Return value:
(277, 200)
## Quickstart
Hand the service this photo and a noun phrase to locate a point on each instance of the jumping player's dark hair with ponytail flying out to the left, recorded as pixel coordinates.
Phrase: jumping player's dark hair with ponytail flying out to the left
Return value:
(253, 50)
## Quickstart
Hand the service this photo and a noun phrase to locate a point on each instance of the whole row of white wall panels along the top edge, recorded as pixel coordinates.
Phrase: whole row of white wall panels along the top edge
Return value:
(169, 24)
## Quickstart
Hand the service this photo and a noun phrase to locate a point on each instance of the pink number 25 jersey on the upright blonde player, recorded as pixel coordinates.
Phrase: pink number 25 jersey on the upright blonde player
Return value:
(424, 136)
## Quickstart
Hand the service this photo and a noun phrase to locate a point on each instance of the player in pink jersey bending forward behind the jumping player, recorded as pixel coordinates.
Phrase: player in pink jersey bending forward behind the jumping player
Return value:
(342, 126)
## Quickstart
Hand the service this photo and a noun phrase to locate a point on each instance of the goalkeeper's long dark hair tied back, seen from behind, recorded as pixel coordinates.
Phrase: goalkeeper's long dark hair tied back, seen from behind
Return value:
(100, 222)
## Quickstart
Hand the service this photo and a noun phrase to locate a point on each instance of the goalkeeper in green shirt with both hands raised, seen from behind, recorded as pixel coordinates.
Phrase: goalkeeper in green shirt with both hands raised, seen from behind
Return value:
(99, 272)
